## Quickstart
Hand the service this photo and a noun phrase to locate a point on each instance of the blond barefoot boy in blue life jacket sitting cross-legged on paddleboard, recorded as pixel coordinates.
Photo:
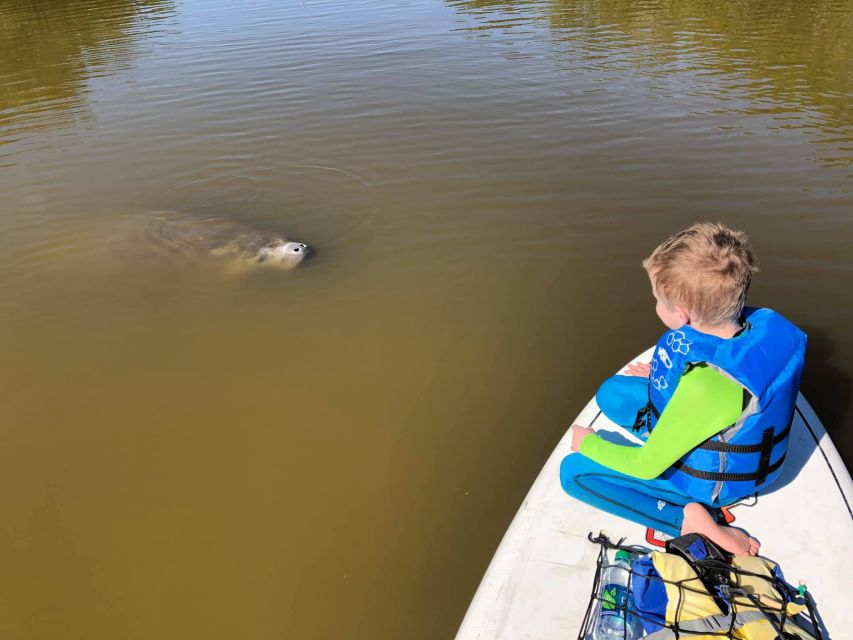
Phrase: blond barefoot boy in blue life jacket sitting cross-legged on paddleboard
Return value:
(716, 408)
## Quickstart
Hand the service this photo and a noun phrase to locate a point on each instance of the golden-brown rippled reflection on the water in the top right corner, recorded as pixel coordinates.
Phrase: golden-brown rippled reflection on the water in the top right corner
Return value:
(789, 59)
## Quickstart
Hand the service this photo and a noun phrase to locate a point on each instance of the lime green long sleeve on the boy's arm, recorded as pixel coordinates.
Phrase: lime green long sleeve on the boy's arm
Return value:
(704, 403)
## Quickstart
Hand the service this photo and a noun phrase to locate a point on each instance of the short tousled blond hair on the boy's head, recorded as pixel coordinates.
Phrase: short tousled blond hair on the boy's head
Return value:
(706, 269)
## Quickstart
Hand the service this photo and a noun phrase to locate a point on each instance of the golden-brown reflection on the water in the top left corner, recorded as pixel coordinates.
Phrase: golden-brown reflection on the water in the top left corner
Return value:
(52, 47)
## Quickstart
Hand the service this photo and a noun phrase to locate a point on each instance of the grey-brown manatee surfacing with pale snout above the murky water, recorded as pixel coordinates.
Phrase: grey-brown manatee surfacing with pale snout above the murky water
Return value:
(220, 239)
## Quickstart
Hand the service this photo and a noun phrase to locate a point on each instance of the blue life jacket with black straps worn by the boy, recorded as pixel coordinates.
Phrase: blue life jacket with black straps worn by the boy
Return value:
(766, 359)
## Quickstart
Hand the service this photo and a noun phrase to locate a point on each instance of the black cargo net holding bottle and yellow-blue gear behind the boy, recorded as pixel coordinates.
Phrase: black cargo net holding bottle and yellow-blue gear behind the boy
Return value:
(746, 604)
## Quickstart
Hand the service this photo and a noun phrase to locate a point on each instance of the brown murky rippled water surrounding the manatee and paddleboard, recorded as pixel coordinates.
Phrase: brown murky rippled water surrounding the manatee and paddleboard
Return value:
(334, 452)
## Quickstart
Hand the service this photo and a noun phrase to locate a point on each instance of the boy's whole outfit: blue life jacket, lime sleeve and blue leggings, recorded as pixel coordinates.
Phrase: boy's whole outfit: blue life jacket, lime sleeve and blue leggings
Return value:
(719, 412)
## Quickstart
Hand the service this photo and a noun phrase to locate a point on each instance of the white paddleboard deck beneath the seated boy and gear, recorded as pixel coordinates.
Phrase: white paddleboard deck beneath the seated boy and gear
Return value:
(538, 584)
